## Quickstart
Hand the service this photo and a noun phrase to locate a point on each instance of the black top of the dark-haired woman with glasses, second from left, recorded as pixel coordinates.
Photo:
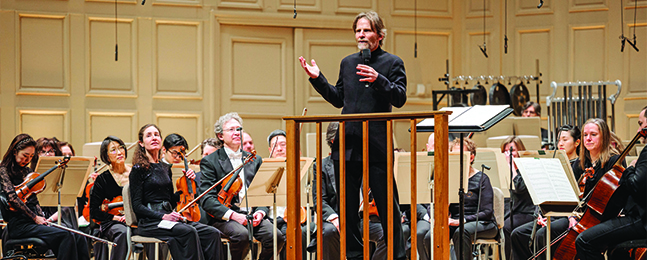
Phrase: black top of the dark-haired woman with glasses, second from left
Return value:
(105, 187)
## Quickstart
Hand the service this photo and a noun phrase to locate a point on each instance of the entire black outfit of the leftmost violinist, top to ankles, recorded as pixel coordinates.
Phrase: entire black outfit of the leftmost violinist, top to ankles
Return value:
(21, 223)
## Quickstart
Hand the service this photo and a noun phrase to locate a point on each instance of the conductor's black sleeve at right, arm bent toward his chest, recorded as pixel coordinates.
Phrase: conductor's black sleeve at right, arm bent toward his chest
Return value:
(394, 85)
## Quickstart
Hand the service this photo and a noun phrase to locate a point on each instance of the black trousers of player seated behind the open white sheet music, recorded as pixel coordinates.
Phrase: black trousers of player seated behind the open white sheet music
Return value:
(521, 248)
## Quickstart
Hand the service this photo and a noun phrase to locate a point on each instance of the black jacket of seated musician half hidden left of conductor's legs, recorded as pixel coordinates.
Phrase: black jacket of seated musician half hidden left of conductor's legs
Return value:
(329, 197)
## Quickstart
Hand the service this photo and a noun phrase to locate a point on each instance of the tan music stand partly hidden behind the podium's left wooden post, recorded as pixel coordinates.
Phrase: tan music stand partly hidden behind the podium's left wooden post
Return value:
(259, 194)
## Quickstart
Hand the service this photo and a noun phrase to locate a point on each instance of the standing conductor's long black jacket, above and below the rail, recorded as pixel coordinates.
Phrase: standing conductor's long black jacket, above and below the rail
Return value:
(350, 94)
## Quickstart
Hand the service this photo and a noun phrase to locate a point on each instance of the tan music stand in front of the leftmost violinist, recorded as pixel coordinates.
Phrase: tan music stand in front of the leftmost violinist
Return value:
(63, 185)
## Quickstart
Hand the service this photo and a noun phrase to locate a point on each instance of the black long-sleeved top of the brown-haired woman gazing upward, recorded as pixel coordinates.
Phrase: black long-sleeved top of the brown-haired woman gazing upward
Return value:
(151, 191)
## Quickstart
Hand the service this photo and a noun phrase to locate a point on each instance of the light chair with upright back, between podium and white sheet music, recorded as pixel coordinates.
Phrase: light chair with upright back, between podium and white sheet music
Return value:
(499, 240)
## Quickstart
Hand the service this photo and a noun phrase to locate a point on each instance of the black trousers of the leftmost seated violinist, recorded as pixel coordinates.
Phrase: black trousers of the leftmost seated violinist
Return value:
(66, 245)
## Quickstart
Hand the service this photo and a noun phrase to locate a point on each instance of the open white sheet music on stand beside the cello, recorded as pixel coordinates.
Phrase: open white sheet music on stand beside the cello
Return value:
(546, 180)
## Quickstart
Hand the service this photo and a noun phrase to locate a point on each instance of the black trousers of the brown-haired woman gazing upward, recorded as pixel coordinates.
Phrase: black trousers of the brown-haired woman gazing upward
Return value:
(192, 240)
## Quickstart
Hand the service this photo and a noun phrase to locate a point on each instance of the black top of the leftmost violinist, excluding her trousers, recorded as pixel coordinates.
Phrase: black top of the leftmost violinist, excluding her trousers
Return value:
(25, 211)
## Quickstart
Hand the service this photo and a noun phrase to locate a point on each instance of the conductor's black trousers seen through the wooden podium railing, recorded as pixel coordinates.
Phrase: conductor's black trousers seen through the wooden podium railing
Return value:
(378, 184)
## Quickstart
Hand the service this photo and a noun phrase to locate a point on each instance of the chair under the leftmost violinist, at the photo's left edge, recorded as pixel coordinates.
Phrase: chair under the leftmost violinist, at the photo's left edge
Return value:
(20, 248)
